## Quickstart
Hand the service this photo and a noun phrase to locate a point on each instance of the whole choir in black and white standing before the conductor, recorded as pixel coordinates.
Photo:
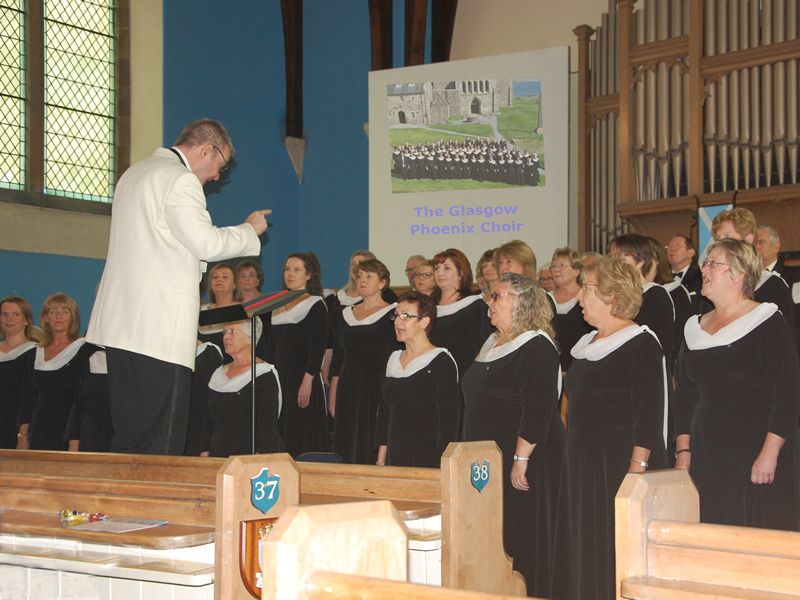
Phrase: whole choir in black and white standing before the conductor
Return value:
(582, 370)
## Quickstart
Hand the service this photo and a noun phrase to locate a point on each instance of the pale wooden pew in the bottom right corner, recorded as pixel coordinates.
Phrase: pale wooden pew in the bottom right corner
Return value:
(664, 552)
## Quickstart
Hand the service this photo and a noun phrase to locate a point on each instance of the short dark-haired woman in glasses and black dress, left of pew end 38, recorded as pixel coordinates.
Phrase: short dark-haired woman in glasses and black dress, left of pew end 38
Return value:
(418, 413)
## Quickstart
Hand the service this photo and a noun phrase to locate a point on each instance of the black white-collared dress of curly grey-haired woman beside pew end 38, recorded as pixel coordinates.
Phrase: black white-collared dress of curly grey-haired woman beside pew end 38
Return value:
(513, 391)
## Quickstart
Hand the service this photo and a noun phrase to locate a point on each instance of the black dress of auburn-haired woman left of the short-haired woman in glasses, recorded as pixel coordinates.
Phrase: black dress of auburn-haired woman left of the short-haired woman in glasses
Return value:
(359, 360)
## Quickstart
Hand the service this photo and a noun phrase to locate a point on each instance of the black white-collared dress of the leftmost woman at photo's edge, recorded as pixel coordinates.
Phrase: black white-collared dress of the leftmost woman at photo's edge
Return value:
(16, 368)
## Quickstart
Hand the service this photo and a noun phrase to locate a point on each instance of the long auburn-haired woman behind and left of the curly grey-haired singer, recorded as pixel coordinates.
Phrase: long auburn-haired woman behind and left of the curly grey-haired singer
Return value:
(462, 324)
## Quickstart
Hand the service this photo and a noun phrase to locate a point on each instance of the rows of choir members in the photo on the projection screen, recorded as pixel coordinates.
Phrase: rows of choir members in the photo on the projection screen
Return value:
(478, 159)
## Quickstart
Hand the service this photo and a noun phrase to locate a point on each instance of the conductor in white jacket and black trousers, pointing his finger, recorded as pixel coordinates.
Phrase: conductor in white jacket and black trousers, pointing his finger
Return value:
(147, 305)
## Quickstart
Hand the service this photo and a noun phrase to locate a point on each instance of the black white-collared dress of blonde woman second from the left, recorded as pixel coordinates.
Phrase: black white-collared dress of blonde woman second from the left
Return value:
(49, 397)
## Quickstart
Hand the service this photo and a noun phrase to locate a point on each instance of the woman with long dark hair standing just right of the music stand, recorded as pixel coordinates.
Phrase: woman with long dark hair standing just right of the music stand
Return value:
(296, 347)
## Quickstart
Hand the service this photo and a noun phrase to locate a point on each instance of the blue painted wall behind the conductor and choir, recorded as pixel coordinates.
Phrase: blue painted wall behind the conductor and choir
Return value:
(227, 63)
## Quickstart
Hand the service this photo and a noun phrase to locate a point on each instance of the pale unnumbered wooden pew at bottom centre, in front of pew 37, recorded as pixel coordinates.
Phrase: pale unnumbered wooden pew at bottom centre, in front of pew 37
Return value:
(344, 552)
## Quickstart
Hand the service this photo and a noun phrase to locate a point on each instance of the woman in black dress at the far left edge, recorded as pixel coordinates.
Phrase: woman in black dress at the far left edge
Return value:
(17, 352)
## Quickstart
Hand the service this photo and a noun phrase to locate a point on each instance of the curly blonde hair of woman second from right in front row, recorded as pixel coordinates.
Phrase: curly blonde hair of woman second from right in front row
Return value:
(618, 284)
